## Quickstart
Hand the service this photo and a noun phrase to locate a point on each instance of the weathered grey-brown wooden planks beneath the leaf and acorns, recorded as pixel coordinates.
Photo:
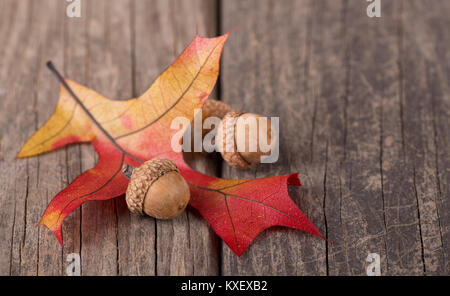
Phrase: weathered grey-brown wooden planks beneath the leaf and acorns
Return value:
(364, 107)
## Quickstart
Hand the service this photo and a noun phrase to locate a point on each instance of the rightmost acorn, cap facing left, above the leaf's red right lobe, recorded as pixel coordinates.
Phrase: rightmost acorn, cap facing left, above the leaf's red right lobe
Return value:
(227, 139)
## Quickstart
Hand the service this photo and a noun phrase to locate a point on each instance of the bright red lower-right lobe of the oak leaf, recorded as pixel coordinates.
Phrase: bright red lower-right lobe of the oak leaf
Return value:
(238, 210)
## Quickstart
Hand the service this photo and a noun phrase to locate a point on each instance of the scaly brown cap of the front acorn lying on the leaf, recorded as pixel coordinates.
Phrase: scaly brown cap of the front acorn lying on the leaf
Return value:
(141, 180)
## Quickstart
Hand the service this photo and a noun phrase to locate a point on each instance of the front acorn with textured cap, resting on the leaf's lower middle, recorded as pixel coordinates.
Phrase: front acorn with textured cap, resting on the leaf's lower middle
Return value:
(157, 189)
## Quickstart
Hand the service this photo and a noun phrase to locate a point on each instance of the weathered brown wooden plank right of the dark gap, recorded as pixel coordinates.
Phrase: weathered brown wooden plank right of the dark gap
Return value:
(348, 113)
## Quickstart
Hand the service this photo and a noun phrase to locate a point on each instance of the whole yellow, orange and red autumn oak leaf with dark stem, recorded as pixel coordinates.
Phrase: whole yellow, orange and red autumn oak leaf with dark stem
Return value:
(136, 130)
